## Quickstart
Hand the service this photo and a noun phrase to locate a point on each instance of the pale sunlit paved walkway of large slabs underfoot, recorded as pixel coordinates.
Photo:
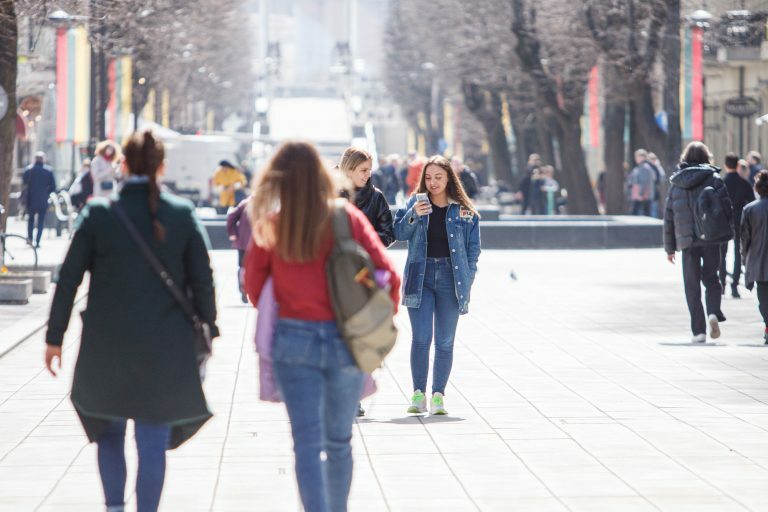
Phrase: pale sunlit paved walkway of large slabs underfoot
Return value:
(574, 388)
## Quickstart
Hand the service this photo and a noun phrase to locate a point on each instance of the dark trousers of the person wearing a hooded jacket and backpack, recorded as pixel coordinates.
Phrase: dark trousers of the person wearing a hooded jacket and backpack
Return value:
(700, 265)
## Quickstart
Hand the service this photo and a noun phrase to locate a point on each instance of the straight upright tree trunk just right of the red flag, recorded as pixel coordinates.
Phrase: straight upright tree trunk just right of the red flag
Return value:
(614, 150)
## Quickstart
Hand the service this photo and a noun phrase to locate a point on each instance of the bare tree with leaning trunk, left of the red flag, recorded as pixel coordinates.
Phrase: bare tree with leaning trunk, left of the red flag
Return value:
(555, 52)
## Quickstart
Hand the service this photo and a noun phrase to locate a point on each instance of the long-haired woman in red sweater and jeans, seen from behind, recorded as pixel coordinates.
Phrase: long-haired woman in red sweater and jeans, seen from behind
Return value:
(291, 215)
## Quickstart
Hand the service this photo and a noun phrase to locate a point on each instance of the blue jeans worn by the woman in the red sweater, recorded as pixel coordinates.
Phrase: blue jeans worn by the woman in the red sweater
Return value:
(321, 386)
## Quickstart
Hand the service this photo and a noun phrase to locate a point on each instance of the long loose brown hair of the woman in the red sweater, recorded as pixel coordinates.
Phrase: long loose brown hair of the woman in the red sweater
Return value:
(291, 205)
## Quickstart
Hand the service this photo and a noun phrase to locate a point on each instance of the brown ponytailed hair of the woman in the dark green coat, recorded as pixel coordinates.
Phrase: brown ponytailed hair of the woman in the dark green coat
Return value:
(144, 155)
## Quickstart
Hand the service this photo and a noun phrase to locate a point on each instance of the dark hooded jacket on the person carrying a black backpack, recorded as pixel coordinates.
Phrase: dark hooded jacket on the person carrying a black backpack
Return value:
(687, 183)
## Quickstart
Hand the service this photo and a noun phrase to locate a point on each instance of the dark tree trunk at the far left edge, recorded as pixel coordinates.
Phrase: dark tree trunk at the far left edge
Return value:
(8, 59)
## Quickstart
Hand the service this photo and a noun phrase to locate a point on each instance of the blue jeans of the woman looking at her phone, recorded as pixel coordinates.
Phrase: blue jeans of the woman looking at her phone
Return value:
(439, 307)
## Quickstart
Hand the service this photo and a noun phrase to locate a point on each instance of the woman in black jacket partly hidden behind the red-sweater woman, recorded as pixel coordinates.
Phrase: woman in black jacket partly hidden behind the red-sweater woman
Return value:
(356, 165)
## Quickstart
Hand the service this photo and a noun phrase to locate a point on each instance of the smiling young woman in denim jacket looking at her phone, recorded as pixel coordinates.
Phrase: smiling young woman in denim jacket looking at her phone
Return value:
(443, 238)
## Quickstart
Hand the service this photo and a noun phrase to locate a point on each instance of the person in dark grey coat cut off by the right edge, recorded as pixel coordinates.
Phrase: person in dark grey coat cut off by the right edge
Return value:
(754, 239)
